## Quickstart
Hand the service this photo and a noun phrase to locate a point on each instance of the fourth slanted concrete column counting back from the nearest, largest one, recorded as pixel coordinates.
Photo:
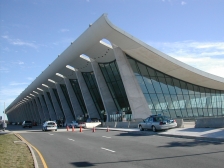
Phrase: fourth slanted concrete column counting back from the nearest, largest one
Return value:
(74, 101)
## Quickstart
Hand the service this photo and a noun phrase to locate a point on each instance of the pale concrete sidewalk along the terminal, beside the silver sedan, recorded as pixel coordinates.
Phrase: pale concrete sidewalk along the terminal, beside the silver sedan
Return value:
(209, 134)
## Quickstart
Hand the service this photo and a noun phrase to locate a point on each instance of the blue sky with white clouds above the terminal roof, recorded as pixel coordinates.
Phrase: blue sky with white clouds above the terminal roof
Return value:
(34, 32)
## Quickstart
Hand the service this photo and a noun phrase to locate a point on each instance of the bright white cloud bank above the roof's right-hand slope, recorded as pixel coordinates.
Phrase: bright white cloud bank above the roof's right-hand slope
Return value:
(206, 56)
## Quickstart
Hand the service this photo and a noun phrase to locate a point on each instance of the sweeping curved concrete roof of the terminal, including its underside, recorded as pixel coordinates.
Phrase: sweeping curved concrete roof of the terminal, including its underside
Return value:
(88, 43)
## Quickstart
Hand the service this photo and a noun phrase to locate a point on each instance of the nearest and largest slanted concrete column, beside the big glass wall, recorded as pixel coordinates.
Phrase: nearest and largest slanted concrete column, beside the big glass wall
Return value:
(137, 101)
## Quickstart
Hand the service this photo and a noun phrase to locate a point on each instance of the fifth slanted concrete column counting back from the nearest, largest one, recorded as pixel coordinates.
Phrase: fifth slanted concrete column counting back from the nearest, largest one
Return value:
(67, 112)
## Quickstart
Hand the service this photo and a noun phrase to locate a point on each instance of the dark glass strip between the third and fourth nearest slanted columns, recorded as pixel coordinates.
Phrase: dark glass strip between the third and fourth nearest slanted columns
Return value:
(78, 93)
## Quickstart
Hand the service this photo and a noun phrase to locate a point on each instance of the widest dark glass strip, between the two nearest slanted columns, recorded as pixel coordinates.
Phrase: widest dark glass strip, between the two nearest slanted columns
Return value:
(113, 79)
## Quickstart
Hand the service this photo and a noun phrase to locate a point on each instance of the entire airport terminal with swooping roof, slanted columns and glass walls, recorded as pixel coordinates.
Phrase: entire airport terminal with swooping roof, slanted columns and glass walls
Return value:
(108, 74)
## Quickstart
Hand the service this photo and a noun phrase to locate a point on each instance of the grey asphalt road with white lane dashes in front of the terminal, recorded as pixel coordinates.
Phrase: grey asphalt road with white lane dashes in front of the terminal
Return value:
(112, 149)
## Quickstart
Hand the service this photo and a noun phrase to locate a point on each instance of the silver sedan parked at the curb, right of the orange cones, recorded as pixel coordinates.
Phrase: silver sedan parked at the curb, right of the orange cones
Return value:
(157, 122)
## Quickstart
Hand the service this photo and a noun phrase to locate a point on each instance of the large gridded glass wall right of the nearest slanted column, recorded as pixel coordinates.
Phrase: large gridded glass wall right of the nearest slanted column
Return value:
(176, 98)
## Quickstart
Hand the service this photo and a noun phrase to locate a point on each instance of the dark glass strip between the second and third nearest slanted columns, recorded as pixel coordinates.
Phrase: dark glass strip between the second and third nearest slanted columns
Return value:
(90, 81)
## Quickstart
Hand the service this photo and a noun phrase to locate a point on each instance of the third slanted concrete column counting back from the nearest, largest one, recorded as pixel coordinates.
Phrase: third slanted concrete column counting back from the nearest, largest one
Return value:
(90, 106)
